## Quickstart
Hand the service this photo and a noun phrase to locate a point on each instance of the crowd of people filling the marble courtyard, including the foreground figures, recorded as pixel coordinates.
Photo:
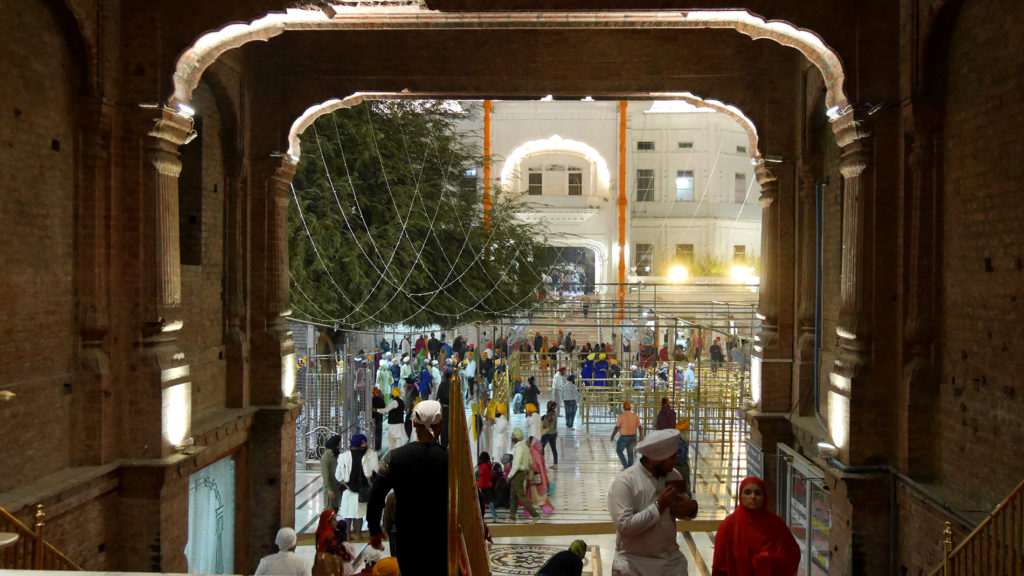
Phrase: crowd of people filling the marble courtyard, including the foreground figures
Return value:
(397, 497)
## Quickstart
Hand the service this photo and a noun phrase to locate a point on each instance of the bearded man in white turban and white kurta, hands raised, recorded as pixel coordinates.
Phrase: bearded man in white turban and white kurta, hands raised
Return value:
(645, 507)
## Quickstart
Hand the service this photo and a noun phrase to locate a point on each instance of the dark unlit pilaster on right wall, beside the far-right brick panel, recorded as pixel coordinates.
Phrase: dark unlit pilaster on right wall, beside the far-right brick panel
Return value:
(919, 455)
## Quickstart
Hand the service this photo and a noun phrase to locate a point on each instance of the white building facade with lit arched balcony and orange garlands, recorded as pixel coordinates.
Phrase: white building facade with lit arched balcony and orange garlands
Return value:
(693, 197)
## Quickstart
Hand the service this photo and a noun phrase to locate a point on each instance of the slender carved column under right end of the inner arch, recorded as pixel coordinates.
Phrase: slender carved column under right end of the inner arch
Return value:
(769, 296)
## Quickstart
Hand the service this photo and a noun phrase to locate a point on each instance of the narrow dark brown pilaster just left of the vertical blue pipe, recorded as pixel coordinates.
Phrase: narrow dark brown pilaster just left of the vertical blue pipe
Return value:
(807, 235)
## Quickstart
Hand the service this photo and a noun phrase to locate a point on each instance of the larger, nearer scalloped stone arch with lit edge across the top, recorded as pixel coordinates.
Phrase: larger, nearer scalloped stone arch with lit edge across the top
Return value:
(411, 16)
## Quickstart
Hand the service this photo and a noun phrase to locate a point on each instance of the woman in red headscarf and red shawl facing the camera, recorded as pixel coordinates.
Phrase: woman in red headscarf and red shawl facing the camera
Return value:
(753, 541)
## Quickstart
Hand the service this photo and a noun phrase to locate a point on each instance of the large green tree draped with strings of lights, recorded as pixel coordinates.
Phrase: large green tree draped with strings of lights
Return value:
(383, 232)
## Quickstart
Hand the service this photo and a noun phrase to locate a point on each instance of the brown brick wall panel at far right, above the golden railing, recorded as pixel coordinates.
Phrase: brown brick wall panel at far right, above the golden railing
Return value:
(983, 275)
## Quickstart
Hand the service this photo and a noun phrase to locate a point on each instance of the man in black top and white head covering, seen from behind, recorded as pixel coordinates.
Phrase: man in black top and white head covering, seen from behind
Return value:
(418, 474)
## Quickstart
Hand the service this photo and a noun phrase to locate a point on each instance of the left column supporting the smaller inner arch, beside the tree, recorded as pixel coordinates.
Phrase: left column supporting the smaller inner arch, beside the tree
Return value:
(273, 348)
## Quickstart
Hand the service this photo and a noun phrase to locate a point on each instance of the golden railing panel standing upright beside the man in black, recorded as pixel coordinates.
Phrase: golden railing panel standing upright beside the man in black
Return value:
(467, 548)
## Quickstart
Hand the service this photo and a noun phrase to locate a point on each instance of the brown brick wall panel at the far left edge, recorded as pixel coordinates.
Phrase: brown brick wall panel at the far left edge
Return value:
(37, 314)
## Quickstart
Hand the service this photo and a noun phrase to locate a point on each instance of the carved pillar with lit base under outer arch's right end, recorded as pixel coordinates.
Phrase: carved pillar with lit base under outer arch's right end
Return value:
(855, 328)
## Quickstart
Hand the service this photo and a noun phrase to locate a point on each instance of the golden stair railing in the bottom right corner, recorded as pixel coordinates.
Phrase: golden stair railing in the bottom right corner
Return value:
(997, 547)
